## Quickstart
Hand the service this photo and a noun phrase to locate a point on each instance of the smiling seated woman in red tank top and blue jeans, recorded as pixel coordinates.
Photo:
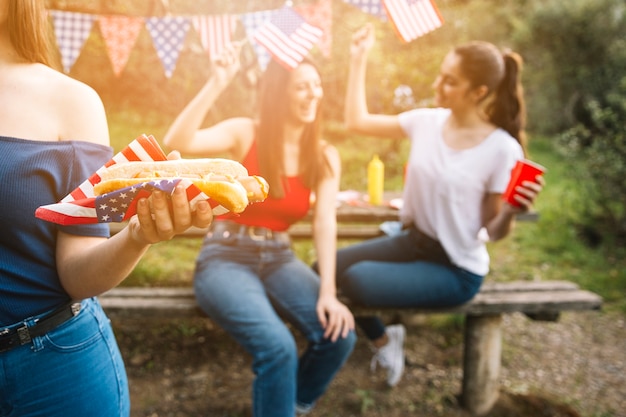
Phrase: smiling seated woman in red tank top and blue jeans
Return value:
(247, 277)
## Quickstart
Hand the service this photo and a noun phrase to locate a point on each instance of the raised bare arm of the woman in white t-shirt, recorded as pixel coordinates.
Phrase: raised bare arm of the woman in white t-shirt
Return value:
(356, 113)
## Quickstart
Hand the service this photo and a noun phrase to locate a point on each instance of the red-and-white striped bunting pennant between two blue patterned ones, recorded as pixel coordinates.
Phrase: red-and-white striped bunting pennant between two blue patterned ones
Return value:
(215, 32)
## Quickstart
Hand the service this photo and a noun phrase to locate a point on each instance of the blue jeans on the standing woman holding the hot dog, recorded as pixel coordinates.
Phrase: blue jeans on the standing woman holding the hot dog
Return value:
(75, 370)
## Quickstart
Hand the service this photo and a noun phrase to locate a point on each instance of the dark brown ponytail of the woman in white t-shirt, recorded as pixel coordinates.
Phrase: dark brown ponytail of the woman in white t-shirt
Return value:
(508, 109)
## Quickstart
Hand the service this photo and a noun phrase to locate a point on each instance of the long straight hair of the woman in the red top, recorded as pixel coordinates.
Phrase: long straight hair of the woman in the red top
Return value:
(273, 109)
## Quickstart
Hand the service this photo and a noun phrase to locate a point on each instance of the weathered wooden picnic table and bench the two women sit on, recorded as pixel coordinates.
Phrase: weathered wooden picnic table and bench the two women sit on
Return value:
(483, 315)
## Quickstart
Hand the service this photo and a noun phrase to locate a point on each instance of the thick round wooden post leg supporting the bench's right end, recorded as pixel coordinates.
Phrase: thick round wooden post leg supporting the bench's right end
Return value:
(481, 363)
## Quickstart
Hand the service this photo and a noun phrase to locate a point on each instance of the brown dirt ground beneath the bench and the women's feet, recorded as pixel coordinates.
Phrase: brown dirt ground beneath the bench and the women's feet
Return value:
(575, 367)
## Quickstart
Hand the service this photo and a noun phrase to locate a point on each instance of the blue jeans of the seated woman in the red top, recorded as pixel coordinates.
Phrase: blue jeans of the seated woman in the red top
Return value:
(249, 288)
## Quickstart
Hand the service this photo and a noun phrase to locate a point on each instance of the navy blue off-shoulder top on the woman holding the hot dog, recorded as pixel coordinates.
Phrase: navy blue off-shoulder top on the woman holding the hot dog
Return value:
(32, 174)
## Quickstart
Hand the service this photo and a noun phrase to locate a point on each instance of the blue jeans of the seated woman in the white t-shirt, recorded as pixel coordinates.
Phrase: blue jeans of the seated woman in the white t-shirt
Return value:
(405, 270)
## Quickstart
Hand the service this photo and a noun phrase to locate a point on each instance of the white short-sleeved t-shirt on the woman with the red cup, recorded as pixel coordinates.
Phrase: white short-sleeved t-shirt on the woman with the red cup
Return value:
(445, 188)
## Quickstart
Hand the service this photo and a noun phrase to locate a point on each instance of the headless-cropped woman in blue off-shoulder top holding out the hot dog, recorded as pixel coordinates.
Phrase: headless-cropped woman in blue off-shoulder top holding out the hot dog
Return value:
(58, 355)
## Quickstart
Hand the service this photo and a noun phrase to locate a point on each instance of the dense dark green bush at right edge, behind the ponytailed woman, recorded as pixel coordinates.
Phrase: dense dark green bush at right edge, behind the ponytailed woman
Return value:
(581, 47)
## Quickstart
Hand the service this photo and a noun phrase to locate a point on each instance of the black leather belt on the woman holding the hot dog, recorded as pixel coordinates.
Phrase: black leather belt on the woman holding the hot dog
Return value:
(24, 334)
